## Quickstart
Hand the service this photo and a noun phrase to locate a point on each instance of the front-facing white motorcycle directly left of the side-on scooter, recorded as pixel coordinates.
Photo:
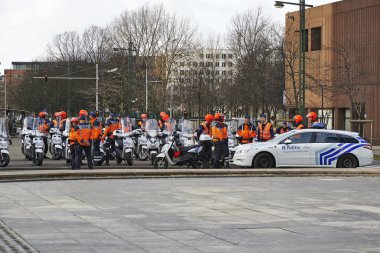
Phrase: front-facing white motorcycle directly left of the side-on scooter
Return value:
(152, 131)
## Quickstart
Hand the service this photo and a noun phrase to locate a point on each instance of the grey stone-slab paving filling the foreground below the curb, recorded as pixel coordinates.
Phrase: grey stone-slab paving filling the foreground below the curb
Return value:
(192, 215)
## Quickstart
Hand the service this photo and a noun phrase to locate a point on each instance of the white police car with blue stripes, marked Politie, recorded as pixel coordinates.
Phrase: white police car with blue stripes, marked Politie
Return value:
(307, 148)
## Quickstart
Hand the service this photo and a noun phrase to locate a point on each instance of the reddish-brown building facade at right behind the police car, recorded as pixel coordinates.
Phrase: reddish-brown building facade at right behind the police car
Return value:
(342, 65)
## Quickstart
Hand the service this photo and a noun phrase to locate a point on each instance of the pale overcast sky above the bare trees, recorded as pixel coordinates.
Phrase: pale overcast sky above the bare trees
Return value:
(27, 26)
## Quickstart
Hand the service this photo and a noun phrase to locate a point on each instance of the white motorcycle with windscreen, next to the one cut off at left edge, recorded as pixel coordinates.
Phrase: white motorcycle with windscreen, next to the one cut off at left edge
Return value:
(34, 142)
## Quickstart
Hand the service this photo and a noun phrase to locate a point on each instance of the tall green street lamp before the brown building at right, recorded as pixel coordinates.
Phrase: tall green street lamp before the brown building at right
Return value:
(302, 62)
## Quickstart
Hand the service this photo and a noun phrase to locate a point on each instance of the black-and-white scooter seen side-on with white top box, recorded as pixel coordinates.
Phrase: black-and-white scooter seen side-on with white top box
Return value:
(175, 154)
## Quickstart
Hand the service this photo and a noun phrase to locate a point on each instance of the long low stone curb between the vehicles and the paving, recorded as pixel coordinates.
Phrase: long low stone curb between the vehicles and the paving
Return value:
(41, 175)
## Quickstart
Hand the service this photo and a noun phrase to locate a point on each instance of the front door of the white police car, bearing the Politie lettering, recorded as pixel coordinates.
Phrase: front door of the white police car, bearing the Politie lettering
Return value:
(295, 150)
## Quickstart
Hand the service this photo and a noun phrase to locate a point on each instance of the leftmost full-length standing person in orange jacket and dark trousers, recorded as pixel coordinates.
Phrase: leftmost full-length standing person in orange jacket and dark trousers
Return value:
(83, 142)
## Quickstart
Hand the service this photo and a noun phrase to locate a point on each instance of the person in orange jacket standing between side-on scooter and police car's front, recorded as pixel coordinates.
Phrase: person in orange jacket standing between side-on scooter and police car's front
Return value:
(219, 134)
